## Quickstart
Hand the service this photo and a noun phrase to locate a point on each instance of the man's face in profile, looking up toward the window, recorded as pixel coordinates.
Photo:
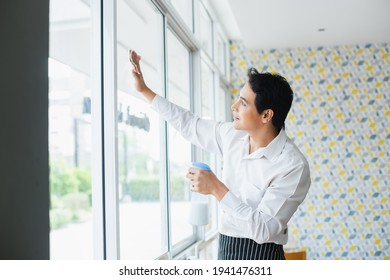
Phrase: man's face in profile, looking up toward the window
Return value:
(244, 111)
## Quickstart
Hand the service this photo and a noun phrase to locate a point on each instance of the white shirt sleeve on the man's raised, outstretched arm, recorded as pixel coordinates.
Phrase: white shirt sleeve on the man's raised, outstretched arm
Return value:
(206, 134)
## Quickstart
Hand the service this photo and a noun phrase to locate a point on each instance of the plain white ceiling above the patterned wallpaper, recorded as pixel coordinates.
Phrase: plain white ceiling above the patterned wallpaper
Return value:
(265, 24)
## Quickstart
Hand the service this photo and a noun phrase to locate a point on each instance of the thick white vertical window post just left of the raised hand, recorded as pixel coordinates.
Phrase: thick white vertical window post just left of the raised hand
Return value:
(110, 131)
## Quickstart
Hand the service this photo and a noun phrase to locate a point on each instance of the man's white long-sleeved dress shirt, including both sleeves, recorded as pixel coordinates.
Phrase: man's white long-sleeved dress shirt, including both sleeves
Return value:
(265, 187)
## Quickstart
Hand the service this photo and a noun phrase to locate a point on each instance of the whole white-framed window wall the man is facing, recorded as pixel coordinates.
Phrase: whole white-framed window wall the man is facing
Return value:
(117, 171)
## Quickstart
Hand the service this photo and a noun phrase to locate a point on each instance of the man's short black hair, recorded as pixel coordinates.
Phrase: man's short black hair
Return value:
(272, 92)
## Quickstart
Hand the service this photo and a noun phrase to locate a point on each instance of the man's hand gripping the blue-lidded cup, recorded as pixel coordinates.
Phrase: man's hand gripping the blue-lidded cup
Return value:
(205, 182)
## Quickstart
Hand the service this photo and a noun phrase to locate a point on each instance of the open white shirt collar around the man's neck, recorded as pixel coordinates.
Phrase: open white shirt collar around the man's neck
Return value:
(272, 150)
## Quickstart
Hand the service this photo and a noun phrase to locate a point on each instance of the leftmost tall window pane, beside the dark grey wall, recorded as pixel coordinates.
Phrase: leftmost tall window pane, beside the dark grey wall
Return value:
(71, 235)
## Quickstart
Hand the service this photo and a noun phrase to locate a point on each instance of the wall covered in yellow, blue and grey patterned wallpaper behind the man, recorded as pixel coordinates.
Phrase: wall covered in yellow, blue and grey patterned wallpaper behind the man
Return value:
(340, 121)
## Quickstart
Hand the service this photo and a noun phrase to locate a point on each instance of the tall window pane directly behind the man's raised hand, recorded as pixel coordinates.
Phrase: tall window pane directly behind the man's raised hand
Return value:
(141, 211)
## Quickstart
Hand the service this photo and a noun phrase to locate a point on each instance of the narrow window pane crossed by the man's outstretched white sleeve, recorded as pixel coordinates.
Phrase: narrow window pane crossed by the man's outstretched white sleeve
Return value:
(179, 148)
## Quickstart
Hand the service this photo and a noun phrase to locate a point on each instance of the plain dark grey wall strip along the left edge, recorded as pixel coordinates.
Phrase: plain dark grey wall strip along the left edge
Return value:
(24, 172)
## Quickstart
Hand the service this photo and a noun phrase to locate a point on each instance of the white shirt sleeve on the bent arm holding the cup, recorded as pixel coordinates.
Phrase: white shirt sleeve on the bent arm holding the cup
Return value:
(280, 201)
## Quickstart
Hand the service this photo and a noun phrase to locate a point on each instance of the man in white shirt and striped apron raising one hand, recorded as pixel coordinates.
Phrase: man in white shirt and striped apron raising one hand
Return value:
(265, 177)
